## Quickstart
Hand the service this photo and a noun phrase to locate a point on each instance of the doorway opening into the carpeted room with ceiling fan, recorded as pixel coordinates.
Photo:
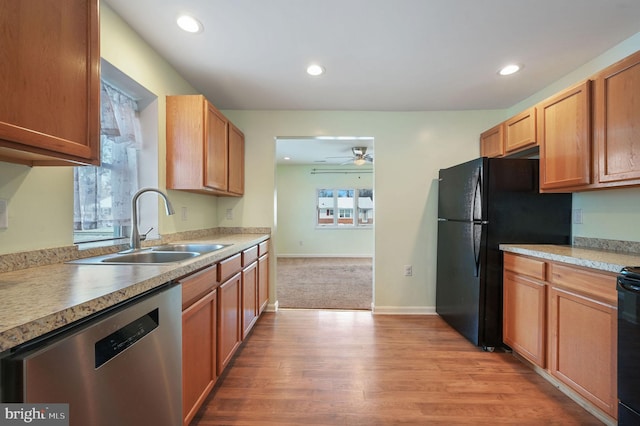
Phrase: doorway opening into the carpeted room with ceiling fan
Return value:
(325, 219)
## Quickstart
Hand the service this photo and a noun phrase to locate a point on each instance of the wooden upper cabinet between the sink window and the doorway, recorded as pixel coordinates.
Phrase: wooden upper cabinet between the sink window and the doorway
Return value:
(205, 152)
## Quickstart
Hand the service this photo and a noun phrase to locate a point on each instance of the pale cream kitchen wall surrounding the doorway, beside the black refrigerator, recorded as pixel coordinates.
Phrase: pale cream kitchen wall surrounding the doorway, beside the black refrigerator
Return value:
(410, 149)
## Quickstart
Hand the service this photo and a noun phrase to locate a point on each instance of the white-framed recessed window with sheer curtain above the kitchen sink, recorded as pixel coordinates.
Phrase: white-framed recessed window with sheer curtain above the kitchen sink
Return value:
(129, 153)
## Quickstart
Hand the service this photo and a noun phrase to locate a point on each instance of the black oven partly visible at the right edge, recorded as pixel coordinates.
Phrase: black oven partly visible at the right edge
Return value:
(629, 346)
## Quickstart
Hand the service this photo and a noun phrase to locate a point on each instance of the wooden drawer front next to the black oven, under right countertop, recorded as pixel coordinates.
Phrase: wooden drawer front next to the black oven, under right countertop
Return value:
(599, 285)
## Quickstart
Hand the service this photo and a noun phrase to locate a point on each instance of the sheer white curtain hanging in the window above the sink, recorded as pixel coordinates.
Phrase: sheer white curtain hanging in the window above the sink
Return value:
(103, 194)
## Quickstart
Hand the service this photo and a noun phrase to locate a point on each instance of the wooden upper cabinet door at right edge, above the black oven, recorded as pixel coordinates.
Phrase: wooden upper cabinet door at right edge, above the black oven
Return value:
(617, 122)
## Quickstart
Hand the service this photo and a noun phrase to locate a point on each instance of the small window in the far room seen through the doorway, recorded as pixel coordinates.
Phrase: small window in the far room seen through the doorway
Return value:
(354, 207)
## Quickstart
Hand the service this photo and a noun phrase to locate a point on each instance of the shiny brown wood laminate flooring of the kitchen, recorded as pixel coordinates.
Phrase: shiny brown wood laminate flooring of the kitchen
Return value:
(315, 367)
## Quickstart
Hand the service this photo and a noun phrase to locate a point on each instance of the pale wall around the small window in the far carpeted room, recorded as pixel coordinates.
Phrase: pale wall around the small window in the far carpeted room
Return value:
(296, 214)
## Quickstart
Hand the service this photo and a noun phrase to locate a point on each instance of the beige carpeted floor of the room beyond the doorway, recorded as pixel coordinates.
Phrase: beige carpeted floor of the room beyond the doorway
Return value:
(325, 283)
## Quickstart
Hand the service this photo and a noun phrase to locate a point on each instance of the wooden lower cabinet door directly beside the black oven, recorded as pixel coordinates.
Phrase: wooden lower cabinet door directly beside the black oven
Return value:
(583, 345)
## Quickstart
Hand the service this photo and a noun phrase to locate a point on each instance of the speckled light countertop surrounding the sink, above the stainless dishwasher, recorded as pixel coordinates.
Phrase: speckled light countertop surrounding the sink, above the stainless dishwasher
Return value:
(41, 299)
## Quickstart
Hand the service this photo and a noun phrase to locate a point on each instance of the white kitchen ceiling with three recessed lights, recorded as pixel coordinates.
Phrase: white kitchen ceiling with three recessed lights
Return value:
(379, 55)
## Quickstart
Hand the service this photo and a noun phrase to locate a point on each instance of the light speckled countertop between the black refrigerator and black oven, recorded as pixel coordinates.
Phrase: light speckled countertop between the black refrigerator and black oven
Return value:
(604, 260)
